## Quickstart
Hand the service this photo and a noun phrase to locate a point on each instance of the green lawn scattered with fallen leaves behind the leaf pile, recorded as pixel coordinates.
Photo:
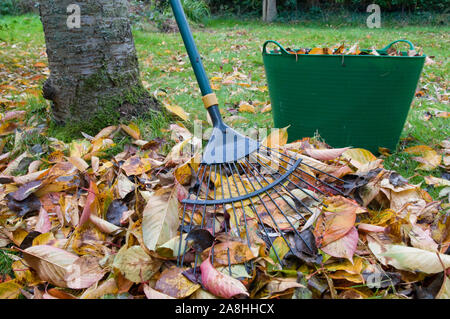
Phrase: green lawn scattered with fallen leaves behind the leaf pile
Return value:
(229, 46)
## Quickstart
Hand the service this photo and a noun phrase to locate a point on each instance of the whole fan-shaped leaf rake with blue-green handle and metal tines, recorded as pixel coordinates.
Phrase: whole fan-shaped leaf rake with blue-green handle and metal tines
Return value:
(237, 172)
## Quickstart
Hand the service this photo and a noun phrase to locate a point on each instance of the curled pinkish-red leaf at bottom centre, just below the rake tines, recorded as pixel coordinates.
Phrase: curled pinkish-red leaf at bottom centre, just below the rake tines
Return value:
(220, 284)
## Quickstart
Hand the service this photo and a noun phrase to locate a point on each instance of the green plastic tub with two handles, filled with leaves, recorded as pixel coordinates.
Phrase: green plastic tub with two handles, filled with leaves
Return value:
(360, 101)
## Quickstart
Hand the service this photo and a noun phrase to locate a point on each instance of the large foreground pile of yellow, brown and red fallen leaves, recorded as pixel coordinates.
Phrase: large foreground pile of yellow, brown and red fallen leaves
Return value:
(79, 225)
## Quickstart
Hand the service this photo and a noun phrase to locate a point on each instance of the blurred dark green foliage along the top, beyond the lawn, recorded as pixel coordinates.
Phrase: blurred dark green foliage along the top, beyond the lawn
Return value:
(157, 14)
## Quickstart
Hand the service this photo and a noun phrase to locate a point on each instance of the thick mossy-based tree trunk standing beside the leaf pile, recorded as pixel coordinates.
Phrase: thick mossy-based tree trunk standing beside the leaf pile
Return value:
(94, 67)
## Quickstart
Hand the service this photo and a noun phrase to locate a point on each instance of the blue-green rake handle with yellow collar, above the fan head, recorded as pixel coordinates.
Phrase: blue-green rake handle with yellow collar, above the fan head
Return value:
(209, 98)
